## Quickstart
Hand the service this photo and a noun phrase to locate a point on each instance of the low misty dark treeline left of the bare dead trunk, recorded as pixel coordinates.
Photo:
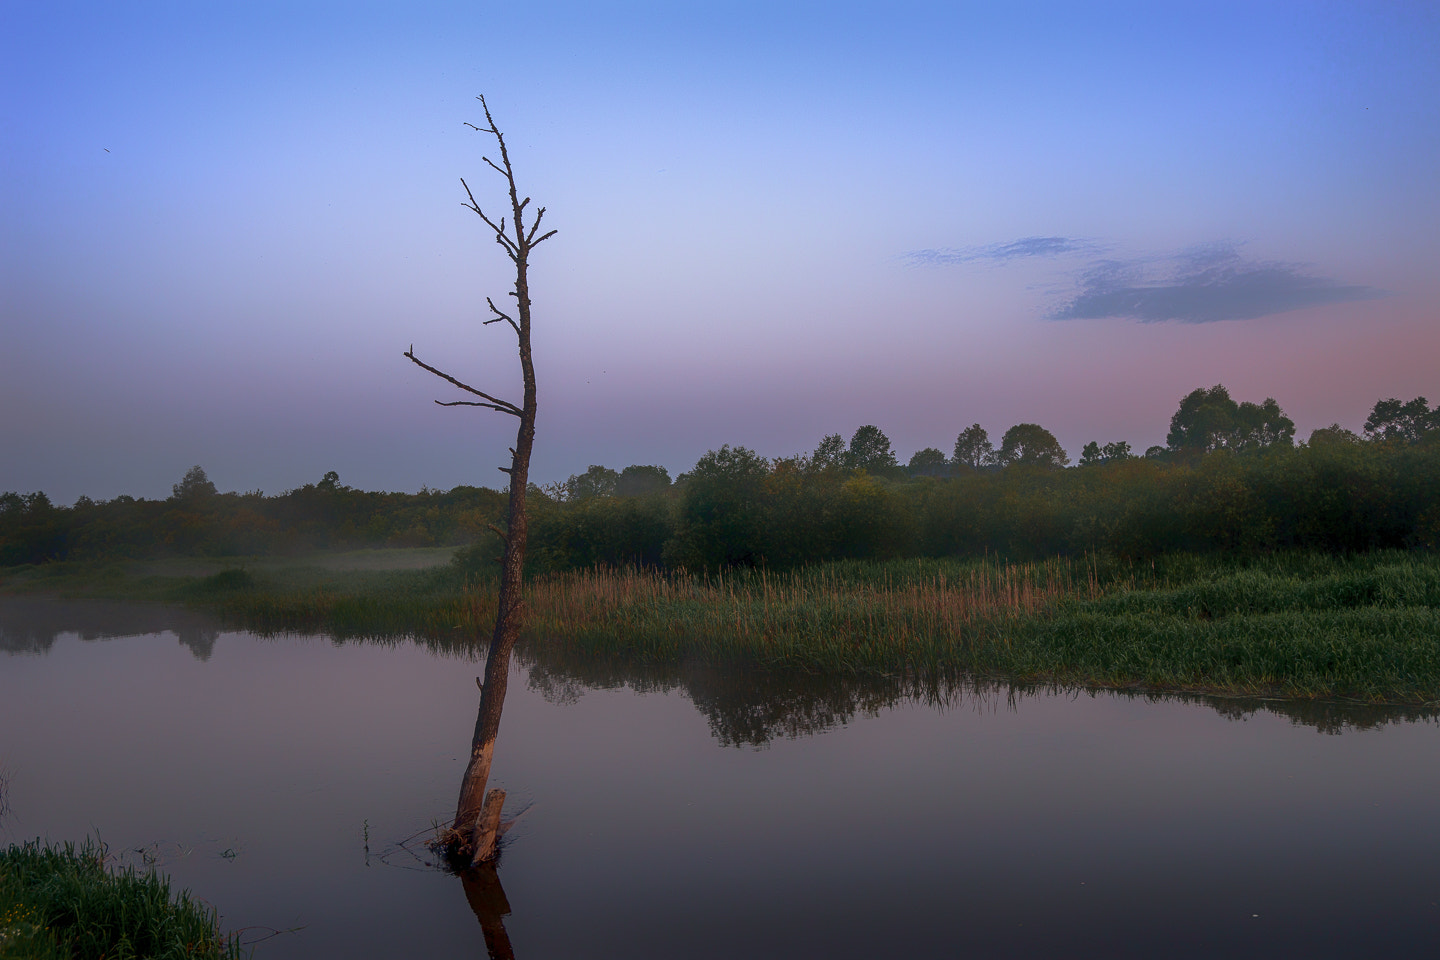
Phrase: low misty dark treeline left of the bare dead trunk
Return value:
(199, 522)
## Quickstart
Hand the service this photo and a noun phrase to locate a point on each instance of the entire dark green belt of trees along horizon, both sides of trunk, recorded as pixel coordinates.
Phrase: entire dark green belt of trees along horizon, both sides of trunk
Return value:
(1230, 479)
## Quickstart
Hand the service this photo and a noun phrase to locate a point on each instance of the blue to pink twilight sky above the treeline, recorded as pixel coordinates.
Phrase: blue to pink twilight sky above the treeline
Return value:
(224, 224)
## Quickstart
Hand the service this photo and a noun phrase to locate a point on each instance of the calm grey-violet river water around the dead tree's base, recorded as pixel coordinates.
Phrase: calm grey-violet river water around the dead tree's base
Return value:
(705, 815)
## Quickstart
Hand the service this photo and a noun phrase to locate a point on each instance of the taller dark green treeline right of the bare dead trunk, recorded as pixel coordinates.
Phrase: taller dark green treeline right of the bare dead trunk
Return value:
(1230, 479)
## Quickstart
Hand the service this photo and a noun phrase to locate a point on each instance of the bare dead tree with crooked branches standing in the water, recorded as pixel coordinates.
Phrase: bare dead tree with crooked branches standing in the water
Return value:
(477, 814)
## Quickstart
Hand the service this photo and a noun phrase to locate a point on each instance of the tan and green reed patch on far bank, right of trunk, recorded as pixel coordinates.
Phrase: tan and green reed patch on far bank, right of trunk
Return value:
(823, 620)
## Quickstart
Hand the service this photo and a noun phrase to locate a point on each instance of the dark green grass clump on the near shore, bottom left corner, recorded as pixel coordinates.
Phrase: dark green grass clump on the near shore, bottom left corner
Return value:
(63, 903)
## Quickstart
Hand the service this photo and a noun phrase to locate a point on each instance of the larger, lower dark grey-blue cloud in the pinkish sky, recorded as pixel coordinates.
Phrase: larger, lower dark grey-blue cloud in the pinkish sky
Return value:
(1203, 286)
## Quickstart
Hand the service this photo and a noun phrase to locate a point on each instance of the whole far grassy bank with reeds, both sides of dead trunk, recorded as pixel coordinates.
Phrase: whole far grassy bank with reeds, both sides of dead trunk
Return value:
(1364, 627)
